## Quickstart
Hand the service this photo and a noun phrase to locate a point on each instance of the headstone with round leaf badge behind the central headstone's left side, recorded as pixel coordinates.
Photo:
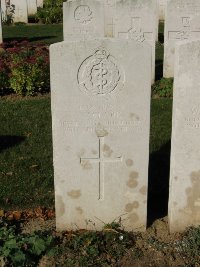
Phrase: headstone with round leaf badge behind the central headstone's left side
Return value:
(83, 20)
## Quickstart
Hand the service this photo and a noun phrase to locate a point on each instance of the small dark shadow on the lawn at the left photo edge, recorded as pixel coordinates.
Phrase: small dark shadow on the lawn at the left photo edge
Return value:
(7, 141)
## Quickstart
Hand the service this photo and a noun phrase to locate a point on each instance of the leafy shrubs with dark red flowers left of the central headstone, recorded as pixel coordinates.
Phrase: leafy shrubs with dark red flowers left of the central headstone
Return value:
(24, 68)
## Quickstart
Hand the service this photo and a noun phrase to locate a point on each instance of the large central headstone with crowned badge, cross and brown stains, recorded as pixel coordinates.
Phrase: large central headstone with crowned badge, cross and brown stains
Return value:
(100, 91)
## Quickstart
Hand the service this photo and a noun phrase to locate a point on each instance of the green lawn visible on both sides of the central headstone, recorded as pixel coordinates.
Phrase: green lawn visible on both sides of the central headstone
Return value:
(26, 168)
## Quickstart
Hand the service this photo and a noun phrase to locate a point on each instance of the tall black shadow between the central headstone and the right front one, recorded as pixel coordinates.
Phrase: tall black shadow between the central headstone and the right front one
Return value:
(158, 190)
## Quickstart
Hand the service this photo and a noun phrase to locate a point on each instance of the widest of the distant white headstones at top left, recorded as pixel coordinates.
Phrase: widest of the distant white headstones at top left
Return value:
(20, 10)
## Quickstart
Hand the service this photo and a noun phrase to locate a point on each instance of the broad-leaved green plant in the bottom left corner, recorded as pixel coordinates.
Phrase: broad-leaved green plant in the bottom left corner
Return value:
(20, 249)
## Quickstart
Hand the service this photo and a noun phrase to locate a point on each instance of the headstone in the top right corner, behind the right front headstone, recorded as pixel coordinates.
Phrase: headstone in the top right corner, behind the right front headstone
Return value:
(182, 22)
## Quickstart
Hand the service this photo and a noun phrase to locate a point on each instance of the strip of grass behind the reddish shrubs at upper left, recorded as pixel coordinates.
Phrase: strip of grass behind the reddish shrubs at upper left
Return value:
(34, 33)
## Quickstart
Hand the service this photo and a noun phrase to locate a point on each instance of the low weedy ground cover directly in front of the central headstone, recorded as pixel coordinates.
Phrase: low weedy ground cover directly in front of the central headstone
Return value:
(93, 248)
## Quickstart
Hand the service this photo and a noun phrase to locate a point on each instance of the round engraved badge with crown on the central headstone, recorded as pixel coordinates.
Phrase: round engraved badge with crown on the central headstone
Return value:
(99, 74)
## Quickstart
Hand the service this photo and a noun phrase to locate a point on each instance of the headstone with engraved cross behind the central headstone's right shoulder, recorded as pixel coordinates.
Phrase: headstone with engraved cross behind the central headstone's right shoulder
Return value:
(138, 20)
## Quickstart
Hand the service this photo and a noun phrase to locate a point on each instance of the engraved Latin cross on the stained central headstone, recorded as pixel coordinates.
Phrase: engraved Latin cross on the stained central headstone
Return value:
(101, 160)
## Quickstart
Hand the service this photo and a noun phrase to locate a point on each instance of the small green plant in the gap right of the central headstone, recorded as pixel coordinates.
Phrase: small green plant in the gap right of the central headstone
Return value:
(163, 88)
